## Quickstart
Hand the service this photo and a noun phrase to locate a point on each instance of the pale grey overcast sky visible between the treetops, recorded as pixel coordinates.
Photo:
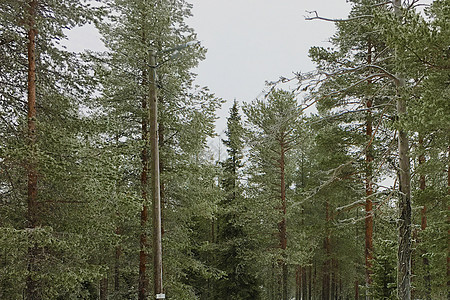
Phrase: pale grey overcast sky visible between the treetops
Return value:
(248, 42)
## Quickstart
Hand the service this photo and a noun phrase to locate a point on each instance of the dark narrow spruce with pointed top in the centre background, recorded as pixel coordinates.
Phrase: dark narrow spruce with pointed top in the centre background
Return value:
(233, 244)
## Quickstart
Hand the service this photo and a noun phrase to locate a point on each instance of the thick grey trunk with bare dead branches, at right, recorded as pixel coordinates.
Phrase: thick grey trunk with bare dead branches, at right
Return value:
(404, 219)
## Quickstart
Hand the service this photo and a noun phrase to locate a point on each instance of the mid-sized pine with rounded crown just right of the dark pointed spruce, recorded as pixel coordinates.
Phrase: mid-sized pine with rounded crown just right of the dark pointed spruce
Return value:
(274, 126)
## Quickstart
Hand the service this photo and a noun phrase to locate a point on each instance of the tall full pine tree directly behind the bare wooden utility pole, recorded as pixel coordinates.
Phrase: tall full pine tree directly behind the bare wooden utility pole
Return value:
(185, 121)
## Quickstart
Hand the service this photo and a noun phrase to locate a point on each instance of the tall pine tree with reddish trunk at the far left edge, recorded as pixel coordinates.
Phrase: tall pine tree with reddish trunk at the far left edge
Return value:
(42, 139)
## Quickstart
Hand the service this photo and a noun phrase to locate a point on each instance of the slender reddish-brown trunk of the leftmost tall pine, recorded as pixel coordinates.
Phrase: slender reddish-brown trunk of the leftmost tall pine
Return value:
(32, 291)
